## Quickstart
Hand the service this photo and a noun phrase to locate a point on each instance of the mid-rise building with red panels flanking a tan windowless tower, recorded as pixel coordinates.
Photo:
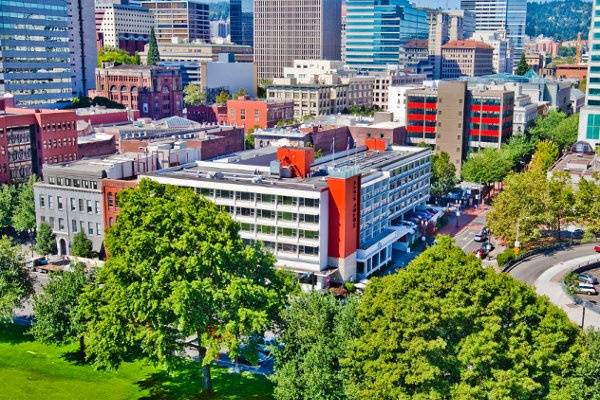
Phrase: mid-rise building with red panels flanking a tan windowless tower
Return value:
(457, 120)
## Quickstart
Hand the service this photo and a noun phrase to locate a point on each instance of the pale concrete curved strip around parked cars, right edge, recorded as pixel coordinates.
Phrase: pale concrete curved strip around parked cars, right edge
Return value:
(549, 284)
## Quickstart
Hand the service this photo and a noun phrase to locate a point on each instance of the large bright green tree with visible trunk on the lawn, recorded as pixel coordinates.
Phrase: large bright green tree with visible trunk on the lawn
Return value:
(178, 268)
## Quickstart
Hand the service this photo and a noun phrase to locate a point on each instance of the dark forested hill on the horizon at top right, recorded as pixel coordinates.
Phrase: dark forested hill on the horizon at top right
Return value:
(559, 19)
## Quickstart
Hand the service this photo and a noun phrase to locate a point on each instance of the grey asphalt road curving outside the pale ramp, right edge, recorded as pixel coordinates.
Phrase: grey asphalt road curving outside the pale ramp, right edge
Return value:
(530, 270)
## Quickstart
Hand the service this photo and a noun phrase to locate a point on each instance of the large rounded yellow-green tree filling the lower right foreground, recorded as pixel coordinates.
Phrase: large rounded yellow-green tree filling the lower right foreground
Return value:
(447, 328)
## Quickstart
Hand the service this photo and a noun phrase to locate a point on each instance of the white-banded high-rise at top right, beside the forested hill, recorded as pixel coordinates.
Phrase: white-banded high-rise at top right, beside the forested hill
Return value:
(498, 15)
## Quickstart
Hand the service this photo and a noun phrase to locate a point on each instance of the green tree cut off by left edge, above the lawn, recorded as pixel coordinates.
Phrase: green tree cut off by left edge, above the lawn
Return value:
(15, 282)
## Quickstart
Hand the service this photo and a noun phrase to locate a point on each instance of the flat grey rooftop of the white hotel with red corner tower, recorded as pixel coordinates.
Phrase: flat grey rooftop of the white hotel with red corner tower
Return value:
(254, 167)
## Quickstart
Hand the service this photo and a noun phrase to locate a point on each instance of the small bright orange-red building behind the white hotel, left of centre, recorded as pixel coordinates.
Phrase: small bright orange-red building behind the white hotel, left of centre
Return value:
(249, 114)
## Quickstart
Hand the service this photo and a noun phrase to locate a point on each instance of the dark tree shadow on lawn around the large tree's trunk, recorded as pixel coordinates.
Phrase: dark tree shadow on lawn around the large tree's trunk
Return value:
(186, 384)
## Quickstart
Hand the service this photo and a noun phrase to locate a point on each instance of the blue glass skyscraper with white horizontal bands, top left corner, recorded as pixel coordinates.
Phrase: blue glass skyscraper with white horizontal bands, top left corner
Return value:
(35, 55)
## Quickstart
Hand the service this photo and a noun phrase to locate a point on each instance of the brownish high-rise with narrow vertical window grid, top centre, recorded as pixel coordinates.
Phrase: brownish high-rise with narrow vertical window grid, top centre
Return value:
(285, 31)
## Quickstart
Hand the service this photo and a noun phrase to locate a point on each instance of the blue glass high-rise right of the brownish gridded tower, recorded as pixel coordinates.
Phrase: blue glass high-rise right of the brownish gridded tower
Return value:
(377, 31)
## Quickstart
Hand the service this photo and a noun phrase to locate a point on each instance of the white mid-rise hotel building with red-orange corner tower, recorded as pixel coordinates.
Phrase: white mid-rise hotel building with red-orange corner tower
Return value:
(337, 217)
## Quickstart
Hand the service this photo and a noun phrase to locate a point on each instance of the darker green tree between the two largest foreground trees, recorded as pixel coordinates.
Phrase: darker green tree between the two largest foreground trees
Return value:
(316, 329)
